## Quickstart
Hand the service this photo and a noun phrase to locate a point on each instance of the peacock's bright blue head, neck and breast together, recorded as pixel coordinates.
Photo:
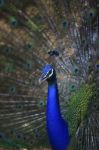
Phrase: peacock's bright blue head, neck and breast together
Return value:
(57, 128)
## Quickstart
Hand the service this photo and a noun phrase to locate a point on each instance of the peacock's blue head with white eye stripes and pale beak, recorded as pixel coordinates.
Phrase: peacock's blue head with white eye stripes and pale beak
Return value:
(48, 74)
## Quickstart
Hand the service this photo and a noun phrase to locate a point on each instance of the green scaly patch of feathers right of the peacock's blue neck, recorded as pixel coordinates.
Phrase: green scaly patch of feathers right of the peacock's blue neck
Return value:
(78, 107)
